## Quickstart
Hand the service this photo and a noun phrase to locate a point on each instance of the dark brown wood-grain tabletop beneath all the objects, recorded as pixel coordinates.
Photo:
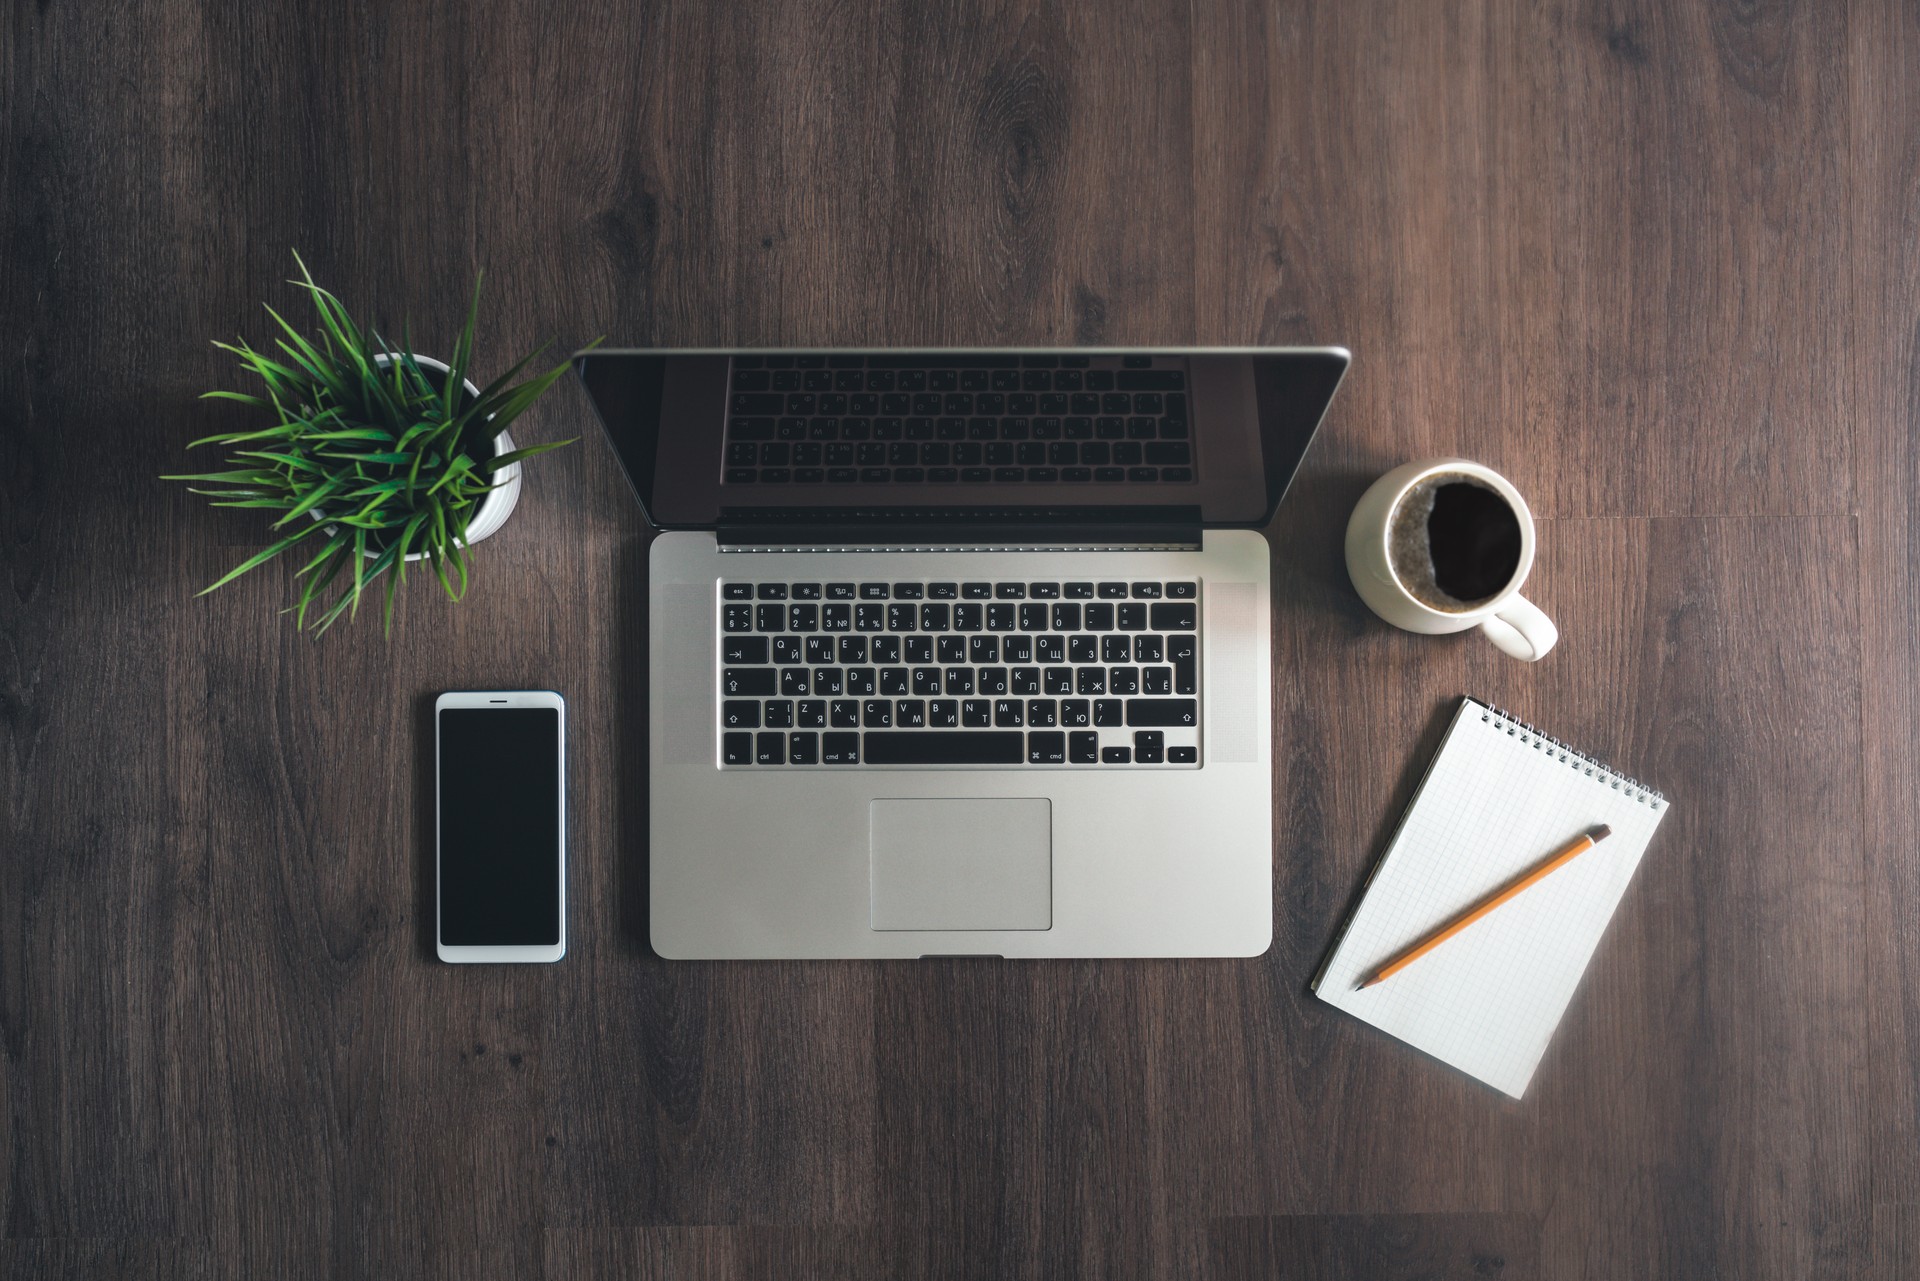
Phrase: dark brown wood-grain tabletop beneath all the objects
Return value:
(1656, 262)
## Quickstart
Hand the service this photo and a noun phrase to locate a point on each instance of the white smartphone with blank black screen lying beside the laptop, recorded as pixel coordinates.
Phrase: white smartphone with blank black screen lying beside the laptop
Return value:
(500, 833)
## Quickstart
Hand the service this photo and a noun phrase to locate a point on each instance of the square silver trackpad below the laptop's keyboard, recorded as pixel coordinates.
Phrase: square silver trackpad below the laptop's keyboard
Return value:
(963, 865)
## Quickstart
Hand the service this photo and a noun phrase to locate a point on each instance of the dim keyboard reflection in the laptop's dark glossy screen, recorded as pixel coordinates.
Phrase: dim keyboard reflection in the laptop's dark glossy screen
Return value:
(959, 420)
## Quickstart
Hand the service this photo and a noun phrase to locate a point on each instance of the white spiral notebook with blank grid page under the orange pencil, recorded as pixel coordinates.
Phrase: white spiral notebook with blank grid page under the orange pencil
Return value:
(1497, 800)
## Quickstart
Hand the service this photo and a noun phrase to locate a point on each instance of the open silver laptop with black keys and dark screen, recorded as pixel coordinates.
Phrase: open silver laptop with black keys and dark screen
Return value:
(961, 652)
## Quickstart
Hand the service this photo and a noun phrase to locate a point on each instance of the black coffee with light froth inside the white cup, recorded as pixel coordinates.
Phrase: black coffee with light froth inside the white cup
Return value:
(1456, 543)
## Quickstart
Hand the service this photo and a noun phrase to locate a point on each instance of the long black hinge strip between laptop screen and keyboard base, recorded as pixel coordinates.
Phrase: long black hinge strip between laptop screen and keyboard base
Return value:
(1007, 529)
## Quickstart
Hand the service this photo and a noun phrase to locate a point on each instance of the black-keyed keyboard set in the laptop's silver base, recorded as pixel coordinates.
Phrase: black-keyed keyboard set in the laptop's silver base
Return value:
(959, 673)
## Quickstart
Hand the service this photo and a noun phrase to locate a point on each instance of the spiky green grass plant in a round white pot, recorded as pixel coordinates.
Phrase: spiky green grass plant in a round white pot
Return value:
(375, 452)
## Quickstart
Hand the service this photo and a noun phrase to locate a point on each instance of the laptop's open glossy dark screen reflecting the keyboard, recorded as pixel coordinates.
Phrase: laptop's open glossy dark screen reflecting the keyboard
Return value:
(717, 435)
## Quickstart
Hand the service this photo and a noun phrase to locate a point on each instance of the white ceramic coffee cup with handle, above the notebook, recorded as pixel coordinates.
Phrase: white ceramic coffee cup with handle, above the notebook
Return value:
(1510, 619)
